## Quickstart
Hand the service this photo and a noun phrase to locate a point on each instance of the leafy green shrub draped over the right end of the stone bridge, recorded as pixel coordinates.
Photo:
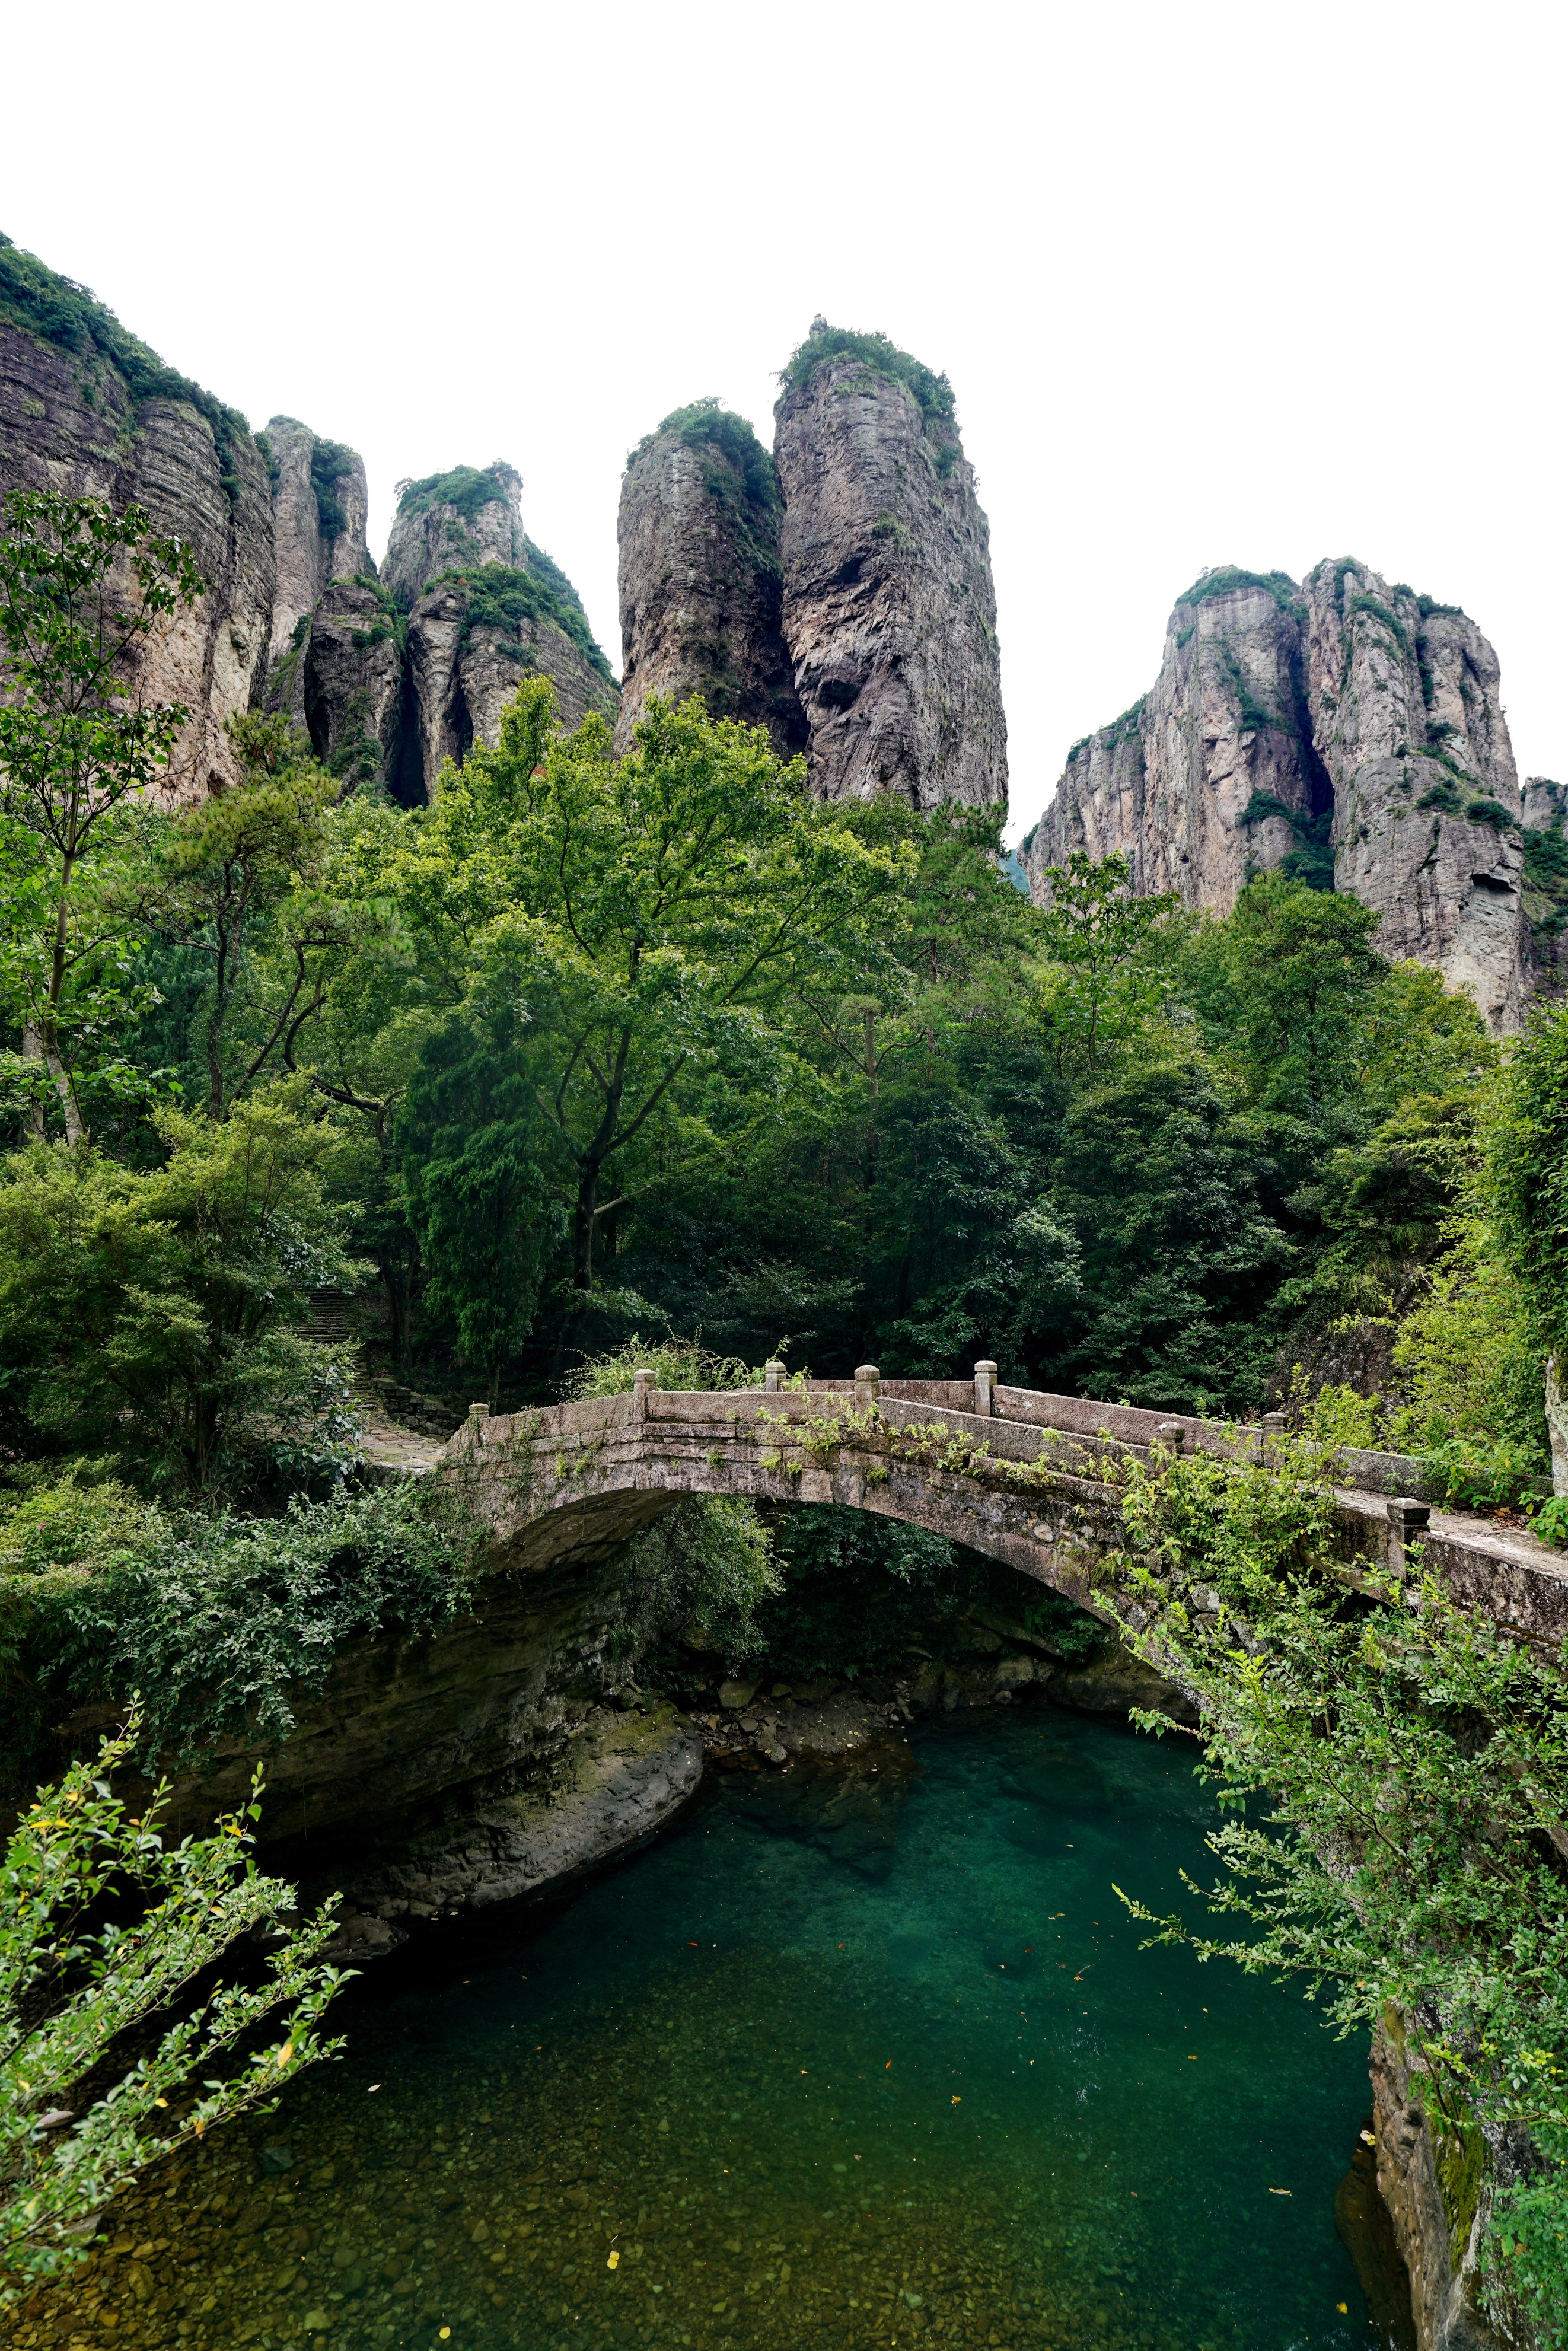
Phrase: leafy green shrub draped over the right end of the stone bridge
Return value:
(1398, 1776)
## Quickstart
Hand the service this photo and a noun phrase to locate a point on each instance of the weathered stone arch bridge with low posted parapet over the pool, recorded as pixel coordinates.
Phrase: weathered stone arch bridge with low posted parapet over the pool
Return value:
(1012, 1473)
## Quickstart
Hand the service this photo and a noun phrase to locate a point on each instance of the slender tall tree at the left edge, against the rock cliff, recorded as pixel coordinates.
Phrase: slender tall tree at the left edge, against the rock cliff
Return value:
(79, 591)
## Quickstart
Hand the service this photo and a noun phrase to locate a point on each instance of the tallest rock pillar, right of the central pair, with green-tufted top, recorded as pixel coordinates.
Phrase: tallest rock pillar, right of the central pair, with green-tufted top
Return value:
(890, 610)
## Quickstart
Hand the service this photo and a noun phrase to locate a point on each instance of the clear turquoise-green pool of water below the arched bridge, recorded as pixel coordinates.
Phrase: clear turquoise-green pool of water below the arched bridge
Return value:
(862, 2054)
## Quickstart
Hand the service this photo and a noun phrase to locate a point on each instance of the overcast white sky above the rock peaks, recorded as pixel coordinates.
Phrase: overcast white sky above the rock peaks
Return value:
(1214, 283)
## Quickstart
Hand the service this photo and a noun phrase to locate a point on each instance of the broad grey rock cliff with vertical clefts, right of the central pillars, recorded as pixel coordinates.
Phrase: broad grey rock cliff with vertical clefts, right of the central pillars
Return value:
(1343, 730)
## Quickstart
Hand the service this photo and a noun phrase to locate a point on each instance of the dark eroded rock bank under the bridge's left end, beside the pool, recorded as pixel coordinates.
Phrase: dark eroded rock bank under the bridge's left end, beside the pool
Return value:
(462, 1769)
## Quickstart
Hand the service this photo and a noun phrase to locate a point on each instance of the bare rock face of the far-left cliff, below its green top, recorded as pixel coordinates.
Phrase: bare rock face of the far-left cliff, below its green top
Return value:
(163, 455)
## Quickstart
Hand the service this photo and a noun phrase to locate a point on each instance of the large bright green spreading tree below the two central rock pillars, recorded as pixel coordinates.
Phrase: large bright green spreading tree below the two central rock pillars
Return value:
(655, 916)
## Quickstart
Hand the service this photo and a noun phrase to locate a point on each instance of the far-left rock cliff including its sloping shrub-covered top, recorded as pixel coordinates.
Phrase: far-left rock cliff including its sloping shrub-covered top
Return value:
(93, 413)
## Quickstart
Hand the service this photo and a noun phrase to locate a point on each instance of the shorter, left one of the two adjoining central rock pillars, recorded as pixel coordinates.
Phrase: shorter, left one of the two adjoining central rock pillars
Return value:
(702, 580)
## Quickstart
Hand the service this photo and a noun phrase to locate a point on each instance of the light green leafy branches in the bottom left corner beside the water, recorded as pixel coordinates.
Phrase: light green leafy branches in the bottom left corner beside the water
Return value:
(109, 1931)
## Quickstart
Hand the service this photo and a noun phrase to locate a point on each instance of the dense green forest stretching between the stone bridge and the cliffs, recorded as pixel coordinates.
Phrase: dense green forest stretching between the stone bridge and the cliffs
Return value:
(659, 1047)
